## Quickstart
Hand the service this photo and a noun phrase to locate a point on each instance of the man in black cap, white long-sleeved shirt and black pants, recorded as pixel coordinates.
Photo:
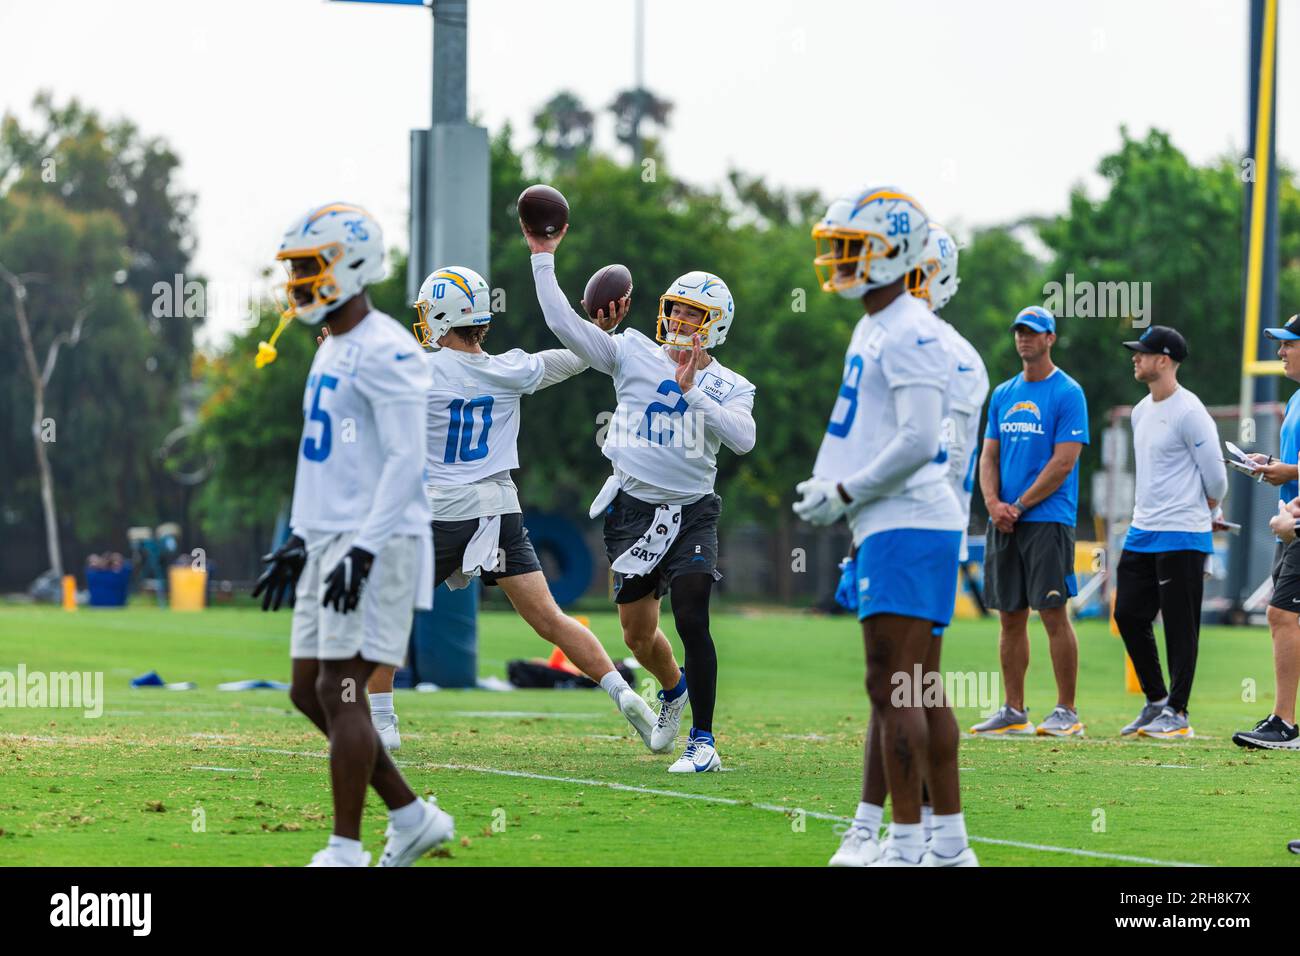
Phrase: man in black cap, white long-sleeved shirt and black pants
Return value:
(1181, 483)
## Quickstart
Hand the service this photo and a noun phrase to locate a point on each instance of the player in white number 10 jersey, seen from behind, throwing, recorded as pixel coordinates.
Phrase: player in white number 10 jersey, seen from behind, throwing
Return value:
(474, 421)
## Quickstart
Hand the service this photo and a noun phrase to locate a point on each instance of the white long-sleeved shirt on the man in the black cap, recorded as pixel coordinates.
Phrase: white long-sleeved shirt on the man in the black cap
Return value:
(1178, 464)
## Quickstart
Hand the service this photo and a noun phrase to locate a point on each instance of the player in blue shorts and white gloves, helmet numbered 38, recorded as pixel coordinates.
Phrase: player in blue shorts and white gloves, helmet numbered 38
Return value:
(883, 468)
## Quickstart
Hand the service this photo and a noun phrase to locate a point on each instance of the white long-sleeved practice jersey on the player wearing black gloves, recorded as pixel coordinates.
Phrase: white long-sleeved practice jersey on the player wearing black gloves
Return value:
(357, 416)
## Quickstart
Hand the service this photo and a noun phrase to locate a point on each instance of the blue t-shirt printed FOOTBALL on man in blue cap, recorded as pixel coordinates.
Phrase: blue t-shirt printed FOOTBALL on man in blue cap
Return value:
(1029, 419)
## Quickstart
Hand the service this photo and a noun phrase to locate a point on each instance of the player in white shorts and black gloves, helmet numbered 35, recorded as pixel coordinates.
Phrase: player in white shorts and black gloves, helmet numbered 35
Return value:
(359, 559)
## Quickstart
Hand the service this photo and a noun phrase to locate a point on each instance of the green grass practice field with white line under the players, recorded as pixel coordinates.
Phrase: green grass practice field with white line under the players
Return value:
(213, 778)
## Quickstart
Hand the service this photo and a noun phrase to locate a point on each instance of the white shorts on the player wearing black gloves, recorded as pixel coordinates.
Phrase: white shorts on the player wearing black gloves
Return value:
(380, 628)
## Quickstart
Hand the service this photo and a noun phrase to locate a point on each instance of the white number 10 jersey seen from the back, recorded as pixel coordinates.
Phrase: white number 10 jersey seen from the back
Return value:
(474, 410)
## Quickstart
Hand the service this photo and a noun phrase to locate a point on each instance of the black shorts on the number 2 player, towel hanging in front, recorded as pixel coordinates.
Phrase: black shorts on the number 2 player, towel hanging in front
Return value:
(694, 552)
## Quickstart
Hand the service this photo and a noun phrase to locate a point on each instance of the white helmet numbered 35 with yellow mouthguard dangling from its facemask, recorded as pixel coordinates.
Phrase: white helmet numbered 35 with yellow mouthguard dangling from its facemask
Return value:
(348, 245)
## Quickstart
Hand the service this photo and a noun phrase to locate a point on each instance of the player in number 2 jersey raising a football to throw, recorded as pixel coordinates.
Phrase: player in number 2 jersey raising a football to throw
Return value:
(677, 408)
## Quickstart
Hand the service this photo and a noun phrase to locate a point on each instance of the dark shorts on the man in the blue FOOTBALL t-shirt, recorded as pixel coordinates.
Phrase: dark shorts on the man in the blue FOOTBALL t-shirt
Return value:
(1030, 568)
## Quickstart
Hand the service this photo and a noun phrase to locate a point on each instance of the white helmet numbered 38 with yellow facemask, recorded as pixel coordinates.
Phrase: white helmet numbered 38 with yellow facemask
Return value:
(869, 241)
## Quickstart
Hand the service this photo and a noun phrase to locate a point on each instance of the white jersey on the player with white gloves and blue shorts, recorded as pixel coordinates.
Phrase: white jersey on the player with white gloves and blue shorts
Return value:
(902, 345)
